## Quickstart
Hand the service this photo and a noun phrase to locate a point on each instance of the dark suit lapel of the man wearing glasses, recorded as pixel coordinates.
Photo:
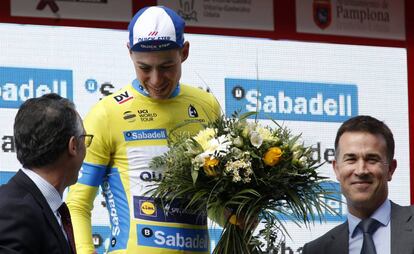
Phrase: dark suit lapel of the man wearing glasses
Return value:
(23, 180)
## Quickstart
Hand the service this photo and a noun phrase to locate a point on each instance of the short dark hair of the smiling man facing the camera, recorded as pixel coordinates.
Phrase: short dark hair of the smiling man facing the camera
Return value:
(370, 125)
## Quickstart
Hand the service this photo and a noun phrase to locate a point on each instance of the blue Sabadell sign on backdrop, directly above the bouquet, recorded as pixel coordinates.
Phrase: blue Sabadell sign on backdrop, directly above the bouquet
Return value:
(295, 101)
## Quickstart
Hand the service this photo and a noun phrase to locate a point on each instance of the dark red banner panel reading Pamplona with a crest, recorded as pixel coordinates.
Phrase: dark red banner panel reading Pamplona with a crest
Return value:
(382, 19)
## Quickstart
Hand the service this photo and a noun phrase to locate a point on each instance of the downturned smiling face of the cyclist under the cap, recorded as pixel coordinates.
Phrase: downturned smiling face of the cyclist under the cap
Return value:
(159, 71)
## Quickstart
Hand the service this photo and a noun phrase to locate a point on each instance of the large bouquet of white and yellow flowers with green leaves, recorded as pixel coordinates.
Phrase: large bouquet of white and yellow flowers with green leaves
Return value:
(245, 174)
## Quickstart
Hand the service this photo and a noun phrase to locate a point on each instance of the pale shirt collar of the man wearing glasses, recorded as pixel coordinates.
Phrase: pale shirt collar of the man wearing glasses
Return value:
(50, 193)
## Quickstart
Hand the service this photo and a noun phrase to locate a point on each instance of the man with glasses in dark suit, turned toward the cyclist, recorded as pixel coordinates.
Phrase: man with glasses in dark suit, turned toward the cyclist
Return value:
(51, 145)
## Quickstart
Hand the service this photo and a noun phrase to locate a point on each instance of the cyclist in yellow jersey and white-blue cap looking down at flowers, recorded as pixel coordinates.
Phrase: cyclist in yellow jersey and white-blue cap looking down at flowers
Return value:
(130, 127)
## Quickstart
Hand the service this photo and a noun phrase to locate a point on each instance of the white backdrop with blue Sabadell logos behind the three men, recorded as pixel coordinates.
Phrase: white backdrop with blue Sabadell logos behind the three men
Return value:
(309, 87)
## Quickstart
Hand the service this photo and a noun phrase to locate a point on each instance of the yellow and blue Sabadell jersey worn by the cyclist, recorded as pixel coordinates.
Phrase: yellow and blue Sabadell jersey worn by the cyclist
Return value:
(129, 129)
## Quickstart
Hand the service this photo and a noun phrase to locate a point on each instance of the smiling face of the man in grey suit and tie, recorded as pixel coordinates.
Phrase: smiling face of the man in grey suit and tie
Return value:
(363, 169)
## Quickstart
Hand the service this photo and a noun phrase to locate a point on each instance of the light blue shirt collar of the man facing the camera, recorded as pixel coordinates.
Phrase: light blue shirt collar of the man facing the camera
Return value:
(382, 214)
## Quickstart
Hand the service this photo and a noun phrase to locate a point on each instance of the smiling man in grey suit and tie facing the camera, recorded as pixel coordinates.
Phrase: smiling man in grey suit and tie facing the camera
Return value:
(364, 164)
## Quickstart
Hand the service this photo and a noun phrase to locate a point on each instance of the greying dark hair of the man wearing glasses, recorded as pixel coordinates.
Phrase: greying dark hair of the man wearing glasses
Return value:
(42, 129)
